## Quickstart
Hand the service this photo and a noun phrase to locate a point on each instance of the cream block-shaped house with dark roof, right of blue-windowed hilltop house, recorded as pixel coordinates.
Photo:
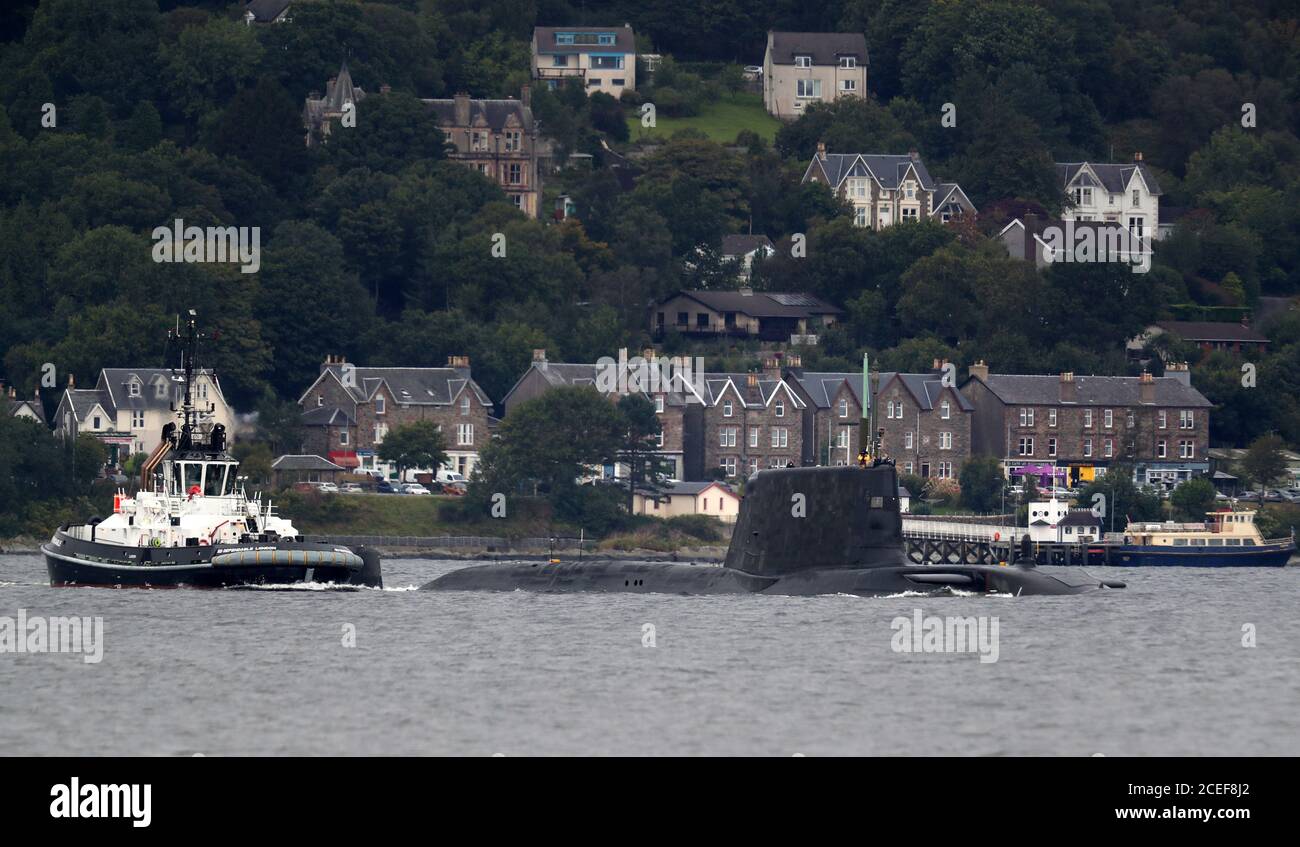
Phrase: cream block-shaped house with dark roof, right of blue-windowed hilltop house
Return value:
(805, 68)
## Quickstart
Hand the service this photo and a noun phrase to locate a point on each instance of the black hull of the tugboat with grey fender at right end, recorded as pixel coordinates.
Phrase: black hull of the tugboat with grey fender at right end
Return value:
(73, 562)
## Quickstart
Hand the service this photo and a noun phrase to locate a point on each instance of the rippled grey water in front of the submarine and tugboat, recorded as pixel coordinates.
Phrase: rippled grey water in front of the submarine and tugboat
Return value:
(1155, 670)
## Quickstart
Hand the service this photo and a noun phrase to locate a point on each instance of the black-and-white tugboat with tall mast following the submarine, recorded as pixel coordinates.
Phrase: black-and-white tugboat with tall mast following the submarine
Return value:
(193, 524)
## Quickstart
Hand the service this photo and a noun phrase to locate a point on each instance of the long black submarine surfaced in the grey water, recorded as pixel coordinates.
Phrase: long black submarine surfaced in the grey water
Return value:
(800, 532)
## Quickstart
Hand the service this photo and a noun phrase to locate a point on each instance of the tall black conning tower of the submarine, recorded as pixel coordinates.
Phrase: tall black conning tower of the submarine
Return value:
(847, 518)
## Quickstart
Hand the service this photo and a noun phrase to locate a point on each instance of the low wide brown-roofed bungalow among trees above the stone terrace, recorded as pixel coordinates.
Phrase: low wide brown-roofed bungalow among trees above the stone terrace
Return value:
(765, 315)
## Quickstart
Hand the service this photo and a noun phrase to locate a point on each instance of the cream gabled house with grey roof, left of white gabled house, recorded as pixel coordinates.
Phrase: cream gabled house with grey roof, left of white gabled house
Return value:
(889, 189)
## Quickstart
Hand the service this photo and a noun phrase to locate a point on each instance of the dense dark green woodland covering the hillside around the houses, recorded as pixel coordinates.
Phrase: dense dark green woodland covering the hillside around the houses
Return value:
(376, 247)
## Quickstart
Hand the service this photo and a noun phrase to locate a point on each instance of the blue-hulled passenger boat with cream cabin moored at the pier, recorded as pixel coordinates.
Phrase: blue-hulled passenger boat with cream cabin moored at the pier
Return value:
(1227, 540)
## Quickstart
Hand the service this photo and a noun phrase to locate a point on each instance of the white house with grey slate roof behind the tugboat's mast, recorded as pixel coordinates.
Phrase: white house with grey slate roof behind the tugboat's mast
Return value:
(128, 409)
